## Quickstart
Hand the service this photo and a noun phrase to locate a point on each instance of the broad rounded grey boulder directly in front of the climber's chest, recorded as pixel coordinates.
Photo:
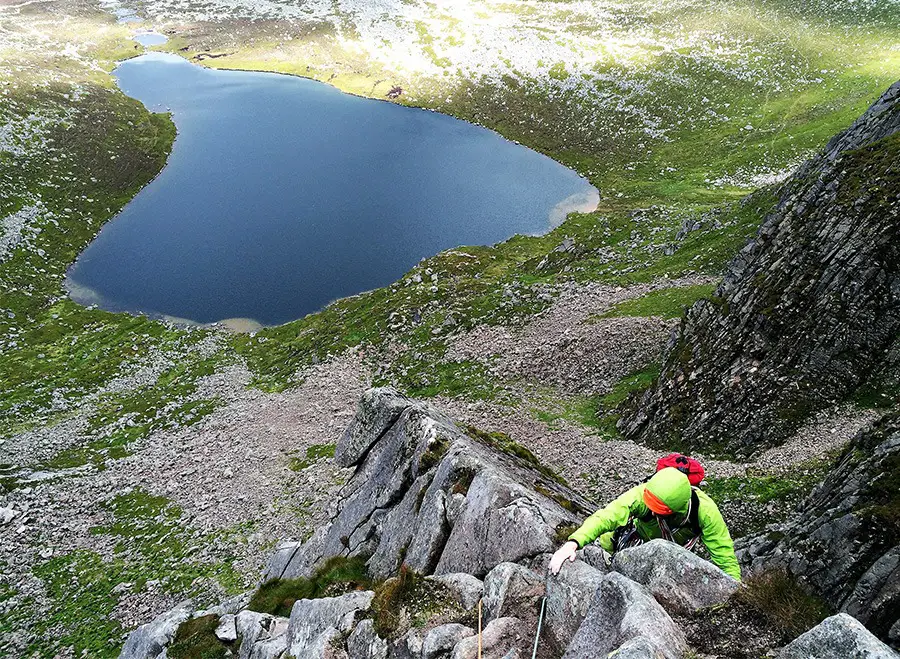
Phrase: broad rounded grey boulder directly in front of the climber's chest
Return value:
(679, 579)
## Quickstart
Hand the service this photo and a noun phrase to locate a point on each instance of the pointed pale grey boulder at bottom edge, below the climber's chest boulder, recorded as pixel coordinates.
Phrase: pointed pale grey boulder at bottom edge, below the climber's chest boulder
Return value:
(623, 615)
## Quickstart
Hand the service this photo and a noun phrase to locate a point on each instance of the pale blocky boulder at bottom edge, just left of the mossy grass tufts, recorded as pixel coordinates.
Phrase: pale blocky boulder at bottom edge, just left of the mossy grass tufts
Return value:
(314, 623)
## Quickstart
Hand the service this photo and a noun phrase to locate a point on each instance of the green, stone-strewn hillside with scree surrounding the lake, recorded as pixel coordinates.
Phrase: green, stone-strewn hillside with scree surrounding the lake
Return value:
(144, 461)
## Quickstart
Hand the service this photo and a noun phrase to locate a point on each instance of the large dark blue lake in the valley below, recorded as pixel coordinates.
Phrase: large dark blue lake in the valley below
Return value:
(282, 194)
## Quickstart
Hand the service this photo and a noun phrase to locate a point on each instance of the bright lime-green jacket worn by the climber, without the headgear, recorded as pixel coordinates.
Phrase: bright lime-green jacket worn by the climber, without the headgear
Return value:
(713, 531)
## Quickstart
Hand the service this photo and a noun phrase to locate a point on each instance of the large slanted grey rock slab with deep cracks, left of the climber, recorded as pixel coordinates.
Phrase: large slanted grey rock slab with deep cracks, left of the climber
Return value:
(428, 494)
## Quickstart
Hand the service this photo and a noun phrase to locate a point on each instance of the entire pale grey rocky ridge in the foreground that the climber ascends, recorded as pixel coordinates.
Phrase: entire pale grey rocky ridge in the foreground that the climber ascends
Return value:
(480, 515)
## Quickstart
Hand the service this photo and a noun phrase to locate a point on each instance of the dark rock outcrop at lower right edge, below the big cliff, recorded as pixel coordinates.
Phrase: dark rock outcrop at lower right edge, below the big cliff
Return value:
(844, 540)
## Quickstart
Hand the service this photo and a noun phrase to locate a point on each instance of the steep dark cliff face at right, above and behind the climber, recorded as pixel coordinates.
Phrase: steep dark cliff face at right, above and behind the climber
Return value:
(806, 311)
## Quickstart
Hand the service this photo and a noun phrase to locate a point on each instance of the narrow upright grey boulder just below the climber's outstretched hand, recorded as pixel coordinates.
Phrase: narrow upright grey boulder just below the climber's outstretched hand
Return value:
(569, 594)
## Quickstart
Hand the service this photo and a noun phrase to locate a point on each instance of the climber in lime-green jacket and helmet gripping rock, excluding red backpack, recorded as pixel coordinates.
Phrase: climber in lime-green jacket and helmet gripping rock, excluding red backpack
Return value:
(666, 506)
